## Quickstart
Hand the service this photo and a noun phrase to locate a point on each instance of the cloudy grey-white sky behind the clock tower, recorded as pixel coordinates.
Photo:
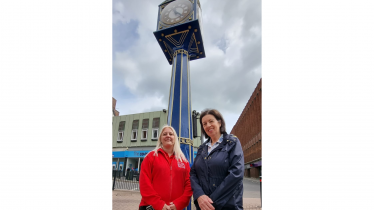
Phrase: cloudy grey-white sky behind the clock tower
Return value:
(224, 80)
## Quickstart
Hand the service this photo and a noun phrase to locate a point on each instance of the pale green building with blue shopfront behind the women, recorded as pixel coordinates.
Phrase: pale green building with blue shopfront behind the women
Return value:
(135, 135)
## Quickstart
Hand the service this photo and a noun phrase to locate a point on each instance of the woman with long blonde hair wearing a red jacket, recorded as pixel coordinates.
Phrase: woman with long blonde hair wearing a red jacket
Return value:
(165, 175)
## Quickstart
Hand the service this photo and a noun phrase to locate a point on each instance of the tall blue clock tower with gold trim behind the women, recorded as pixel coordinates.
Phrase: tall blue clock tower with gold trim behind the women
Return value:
(180, 35)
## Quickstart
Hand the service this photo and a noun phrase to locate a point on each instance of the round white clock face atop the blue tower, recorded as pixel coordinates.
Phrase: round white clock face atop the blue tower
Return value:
(176, 11)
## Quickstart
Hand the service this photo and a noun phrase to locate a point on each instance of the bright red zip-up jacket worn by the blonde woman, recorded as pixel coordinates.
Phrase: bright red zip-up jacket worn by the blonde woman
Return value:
(163, 179)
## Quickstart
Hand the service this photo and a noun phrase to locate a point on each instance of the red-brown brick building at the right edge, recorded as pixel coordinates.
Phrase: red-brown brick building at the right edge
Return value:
(248, 129)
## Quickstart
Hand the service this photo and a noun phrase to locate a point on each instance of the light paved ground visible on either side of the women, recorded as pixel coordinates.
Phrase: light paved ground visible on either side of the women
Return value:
(129, 200)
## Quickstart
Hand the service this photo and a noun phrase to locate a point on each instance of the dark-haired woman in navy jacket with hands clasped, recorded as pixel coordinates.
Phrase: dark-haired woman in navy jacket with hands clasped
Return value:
(218, 169)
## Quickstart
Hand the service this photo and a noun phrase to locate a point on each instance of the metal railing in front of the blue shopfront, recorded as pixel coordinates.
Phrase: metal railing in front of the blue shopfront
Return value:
(125, 180)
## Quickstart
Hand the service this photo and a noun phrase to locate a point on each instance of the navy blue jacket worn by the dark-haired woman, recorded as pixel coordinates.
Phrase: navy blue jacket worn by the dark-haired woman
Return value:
(219, 175)
